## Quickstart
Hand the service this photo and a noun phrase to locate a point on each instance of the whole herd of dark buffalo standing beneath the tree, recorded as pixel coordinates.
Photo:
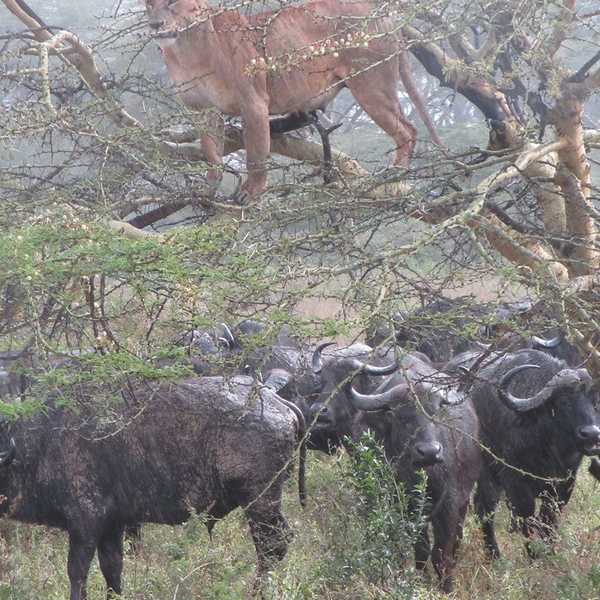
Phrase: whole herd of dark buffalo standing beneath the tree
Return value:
(455, 389)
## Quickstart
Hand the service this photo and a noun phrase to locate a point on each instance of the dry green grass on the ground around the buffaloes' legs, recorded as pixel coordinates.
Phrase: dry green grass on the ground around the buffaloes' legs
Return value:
(183, 563)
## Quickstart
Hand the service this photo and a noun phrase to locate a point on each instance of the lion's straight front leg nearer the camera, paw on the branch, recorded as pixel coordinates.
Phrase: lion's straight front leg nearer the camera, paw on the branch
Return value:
(257, 142)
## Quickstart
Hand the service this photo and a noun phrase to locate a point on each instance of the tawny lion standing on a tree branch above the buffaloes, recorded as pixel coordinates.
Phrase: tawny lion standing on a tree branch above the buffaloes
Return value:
(294, 60)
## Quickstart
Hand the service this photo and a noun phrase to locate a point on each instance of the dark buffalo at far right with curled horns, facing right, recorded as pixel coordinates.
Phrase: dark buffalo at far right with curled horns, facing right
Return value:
(538, 419)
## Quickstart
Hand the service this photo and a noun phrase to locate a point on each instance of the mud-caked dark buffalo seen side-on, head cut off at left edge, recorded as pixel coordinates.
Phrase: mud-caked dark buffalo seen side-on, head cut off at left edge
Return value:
(202, 444)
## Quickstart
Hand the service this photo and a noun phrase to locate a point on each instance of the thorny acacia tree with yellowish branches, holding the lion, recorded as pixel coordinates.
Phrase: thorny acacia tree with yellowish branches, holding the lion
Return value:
(116, 155)
